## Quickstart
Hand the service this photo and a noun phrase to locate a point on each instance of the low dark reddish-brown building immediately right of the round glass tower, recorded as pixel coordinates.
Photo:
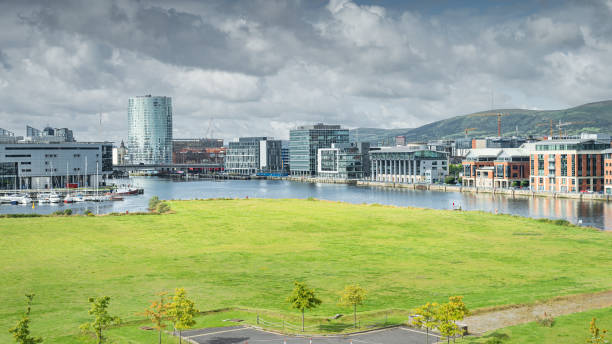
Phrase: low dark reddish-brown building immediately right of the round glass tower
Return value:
(187, 151)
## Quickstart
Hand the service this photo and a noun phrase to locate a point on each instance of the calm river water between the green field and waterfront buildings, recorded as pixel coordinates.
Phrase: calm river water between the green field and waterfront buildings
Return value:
(597, 214)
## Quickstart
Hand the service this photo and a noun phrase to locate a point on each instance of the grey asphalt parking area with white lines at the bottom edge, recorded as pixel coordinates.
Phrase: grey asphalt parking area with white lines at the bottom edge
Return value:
(241, 335)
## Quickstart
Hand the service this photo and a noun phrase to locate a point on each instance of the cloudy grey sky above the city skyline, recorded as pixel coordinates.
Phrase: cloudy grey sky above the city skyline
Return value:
(261, 67)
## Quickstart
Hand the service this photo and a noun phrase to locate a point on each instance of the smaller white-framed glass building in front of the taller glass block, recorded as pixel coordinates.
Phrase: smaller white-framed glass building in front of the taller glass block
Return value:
(343, 161)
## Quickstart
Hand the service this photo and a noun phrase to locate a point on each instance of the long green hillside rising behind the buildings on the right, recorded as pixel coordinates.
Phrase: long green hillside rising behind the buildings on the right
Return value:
(593, 118)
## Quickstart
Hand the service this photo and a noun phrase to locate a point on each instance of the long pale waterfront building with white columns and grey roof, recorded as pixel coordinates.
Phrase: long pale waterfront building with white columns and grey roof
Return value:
(404, 165)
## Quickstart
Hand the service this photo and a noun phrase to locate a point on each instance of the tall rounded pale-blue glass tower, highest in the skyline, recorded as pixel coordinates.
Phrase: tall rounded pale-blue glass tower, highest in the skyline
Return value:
(150, 130)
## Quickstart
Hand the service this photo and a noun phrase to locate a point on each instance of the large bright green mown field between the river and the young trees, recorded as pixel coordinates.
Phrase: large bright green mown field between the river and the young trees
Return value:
(248, 253)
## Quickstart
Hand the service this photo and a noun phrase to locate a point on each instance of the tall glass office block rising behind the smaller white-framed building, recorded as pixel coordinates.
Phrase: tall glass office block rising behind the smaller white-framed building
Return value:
(305, 142)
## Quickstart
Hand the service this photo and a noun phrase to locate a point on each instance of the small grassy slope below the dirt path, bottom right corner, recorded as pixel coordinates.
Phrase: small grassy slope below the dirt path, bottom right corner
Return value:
(573, 328)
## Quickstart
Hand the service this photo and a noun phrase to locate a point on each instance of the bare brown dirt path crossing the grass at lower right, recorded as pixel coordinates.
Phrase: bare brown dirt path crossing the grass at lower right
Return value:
(494, 318)
